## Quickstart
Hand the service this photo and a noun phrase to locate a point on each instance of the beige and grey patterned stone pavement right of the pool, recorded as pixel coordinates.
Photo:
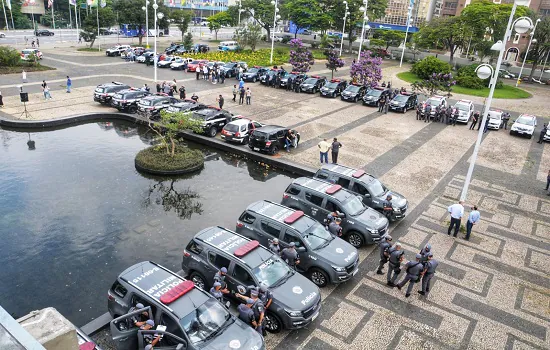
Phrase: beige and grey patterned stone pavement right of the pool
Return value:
(492, 292)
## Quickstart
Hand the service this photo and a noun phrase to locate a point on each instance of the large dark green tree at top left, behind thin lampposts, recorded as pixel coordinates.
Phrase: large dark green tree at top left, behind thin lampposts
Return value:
(130, 12)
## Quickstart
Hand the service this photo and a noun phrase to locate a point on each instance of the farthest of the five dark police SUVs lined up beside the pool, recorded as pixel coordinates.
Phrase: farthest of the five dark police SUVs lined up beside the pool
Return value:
(372, 191)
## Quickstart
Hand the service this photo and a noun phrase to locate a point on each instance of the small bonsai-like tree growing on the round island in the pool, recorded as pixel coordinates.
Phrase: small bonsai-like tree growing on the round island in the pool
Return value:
(172, 124)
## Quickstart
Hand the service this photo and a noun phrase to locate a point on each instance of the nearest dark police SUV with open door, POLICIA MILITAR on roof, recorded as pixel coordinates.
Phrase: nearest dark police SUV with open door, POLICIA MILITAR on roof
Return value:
(184, 316)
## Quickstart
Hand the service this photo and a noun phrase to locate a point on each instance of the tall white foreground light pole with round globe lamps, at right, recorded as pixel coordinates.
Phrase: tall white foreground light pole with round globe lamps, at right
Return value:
(484, 71)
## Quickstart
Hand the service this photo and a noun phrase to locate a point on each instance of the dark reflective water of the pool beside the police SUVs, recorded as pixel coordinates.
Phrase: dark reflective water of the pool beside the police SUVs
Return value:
(74, 213)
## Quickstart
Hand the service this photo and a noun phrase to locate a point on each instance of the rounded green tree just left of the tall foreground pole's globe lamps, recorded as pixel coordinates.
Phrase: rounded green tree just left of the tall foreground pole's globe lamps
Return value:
(447, 30)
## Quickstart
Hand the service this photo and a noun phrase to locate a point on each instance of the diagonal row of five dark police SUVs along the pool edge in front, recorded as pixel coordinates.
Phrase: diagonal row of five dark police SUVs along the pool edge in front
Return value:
(187, 317)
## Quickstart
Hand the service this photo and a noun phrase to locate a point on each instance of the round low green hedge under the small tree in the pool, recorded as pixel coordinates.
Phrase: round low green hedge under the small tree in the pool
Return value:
(155, 158)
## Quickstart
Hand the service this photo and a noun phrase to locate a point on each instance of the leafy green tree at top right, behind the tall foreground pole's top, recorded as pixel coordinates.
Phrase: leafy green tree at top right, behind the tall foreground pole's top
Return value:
(483, 14)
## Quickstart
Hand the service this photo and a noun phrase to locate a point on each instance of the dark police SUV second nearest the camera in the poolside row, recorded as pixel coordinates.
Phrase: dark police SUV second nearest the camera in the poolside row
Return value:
(296, 300)
